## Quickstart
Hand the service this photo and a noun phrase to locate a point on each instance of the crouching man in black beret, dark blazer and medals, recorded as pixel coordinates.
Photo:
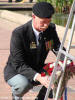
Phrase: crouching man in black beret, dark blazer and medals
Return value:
(28, 52)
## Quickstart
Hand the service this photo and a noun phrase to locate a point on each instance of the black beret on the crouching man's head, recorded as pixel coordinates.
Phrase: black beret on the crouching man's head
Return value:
(43, 10)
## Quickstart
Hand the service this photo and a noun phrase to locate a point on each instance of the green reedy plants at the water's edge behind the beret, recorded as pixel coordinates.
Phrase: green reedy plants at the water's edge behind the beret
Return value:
(61, 6)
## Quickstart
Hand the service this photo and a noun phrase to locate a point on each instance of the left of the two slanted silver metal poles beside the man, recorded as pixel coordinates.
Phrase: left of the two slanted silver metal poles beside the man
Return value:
(53, 73)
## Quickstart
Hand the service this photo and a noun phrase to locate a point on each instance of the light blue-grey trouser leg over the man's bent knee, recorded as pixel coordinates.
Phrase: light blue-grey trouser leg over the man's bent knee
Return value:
(20, 85)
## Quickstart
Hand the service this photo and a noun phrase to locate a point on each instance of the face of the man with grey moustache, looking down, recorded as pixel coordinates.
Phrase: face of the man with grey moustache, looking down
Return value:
(40, 24)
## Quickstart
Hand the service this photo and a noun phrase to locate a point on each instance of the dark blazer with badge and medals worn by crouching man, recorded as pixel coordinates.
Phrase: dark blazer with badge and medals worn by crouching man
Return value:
(25, 57)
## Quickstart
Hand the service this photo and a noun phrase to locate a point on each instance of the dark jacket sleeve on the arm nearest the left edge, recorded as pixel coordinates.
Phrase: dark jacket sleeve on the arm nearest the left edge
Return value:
(17, 53)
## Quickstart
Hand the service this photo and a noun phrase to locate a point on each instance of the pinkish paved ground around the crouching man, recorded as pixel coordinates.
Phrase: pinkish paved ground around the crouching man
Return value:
(6, 28)
